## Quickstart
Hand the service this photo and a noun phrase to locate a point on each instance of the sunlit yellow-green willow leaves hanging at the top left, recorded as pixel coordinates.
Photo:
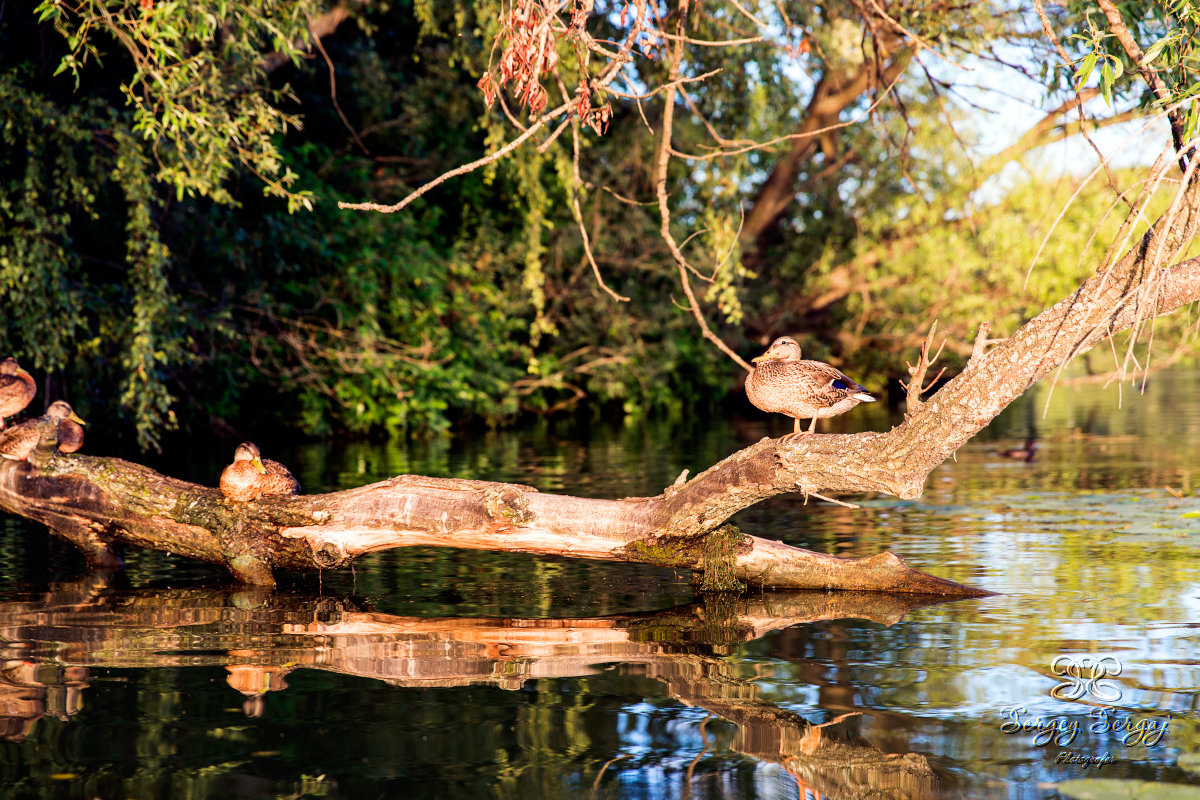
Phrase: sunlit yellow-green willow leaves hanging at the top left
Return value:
(199, 82)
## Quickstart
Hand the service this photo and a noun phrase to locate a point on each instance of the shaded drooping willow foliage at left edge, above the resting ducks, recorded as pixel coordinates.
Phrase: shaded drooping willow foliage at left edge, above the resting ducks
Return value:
(57, 185)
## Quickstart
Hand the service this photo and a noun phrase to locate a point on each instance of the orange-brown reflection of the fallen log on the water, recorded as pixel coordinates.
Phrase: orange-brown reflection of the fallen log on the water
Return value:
(49, 645)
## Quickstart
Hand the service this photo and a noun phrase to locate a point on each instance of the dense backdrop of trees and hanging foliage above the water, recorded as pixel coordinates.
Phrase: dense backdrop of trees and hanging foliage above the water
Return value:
(655, 183)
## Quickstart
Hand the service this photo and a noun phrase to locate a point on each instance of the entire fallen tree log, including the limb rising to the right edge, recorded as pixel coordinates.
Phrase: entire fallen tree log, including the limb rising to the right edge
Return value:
(99, 502)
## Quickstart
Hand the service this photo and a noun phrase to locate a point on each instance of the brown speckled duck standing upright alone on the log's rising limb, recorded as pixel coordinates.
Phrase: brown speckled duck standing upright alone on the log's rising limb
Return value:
(784, 383)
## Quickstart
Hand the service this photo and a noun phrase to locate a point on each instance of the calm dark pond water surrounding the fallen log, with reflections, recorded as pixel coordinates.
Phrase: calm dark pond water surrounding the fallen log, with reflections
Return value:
(434, 673)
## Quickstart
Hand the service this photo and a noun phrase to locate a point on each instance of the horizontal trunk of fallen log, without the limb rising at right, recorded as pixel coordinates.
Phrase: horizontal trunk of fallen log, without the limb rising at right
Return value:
(98, 503)
